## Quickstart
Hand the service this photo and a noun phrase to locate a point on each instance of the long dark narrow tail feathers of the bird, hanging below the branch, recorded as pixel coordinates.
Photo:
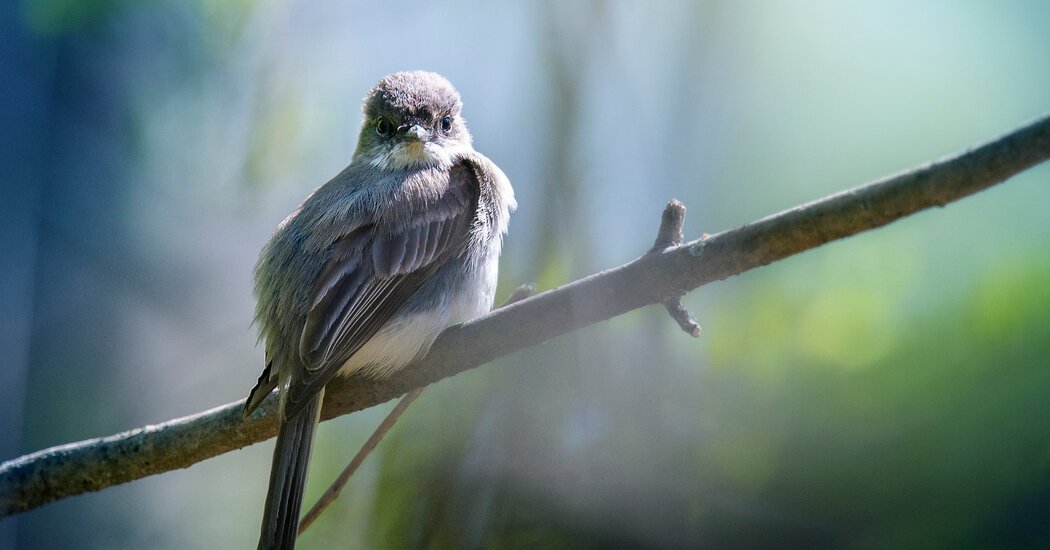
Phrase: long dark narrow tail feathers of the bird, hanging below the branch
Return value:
(288, 477)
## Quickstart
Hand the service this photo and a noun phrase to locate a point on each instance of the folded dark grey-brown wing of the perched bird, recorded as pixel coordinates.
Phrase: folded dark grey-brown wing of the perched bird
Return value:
(372, 273)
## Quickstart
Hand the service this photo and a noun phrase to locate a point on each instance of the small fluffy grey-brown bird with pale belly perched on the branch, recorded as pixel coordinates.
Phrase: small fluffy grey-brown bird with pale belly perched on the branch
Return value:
(364, 277)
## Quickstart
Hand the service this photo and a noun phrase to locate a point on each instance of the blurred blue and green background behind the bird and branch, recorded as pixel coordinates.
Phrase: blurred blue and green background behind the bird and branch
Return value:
(890, 391)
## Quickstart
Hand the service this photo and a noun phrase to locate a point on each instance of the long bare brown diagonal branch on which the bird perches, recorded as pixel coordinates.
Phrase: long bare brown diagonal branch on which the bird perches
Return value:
(656, 278)
